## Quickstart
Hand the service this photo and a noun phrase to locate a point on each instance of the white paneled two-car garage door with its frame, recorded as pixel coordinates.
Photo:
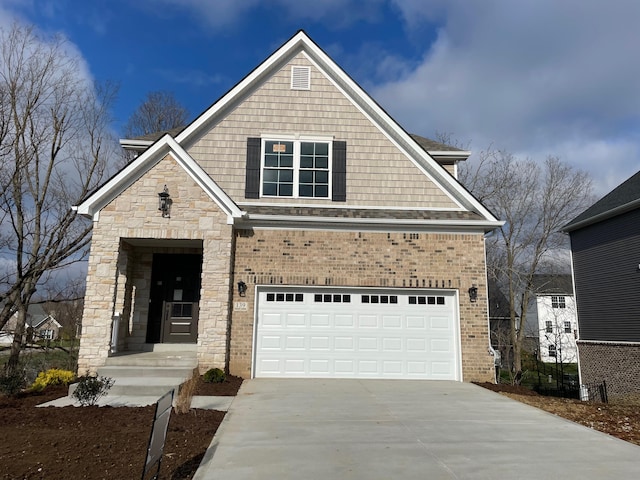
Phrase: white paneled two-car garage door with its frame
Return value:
(444, 337)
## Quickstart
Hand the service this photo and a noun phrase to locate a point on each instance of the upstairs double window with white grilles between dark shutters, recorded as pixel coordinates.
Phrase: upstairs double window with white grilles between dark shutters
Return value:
(296, 168)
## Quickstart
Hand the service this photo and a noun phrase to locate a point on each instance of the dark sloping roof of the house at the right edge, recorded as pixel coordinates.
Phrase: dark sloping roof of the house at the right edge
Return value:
(623, 198)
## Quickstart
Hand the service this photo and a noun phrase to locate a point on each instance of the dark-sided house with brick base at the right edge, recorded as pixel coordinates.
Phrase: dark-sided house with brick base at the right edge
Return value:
(605, 246)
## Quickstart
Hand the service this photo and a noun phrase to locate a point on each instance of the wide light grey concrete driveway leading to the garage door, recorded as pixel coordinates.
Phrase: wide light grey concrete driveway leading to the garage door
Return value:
(388, 429)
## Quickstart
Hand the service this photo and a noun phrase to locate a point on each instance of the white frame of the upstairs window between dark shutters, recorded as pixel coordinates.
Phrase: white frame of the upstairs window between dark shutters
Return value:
(297, 141)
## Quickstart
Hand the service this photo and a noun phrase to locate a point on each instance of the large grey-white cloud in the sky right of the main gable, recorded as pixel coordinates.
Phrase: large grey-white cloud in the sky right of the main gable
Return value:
(542, 77)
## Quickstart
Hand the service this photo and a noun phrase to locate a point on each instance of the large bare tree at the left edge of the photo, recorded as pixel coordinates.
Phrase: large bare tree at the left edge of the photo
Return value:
(54, 145)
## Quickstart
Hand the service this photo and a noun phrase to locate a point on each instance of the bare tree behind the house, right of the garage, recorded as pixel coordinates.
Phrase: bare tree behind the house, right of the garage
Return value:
(535, 200)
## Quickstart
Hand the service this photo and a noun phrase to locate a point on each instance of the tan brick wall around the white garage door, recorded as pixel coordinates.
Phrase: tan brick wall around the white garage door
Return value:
(365, 259)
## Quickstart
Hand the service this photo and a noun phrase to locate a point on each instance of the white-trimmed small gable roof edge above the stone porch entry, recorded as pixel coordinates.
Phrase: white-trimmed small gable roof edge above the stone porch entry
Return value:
(132, 172)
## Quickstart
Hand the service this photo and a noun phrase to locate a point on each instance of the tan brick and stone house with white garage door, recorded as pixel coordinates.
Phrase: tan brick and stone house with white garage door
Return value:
(294, 229)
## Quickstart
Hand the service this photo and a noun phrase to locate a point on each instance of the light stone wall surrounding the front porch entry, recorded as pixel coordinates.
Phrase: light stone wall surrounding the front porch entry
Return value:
(119, 273)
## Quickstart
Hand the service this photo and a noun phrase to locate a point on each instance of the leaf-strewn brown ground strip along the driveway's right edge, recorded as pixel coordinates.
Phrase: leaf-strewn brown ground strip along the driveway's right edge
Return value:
(619, 420)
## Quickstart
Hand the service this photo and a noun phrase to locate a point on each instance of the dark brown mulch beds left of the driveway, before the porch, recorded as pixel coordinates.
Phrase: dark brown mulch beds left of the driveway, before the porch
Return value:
(100, 442)
